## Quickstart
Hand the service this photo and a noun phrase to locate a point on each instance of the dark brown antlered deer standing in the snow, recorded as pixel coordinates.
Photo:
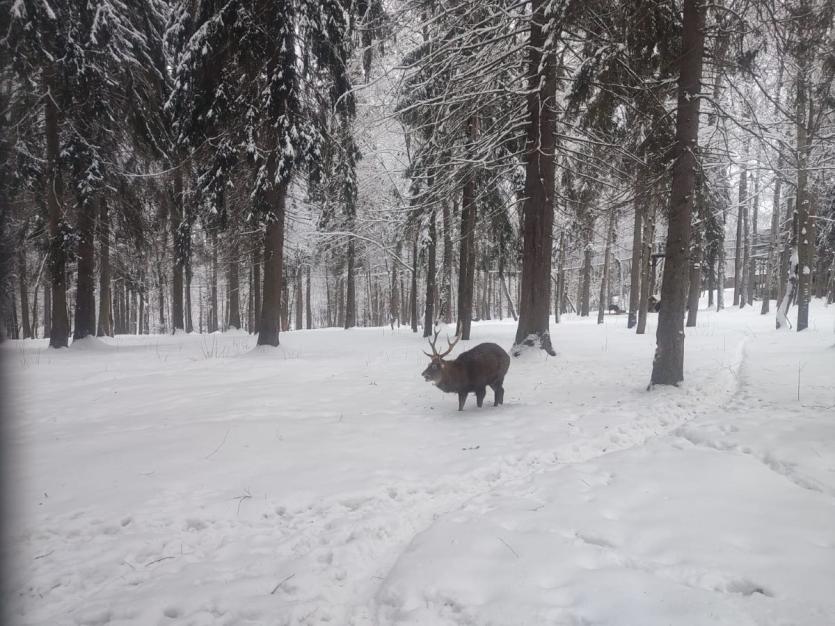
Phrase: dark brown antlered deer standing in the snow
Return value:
(474, 370)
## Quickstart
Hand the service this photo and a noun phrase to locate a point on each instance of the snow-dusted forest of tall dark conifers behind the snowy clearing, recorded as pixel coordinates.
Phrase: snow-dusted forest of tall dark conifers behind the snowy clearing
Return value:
(201, 166)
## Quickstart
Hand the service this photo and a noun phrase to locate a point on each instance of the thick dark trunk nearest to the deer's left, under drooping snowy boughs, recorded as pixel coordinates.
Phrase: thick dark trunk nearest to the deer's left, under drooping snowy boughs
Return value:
(269, 326)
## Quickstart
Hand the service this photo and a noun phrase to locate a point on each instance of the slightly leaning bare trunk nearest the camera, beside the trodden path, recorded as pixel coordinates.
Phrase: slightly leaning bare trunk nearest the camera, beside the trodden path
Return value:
(668, 364)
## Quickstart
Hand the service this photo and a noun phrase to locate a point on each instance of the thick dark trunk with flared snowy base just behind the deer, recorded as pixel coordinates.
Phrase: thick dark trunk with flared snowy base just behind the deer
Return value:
(538, 209)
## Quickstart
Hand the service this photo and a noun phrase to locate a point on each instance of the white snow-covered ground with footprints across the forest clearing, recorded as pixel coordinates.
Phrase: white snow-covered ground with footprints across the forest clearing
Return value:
(194, 480)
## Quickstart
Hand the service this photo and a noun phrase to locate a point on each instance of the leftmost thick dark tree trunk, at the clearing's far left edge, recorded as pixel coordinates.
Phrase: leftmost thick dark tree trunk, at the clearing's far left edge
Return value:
(60, 325)
